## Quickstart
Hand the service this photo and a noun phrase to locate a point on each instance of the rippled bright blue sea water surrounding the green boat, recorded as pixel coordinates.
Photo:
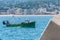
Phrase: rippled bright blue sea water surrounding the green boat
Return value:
(18, 33)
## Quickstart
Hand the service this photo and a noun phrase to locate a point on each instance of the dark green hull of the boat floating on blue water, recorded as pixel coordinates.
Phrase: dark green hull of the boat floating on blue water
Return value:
(26, 25)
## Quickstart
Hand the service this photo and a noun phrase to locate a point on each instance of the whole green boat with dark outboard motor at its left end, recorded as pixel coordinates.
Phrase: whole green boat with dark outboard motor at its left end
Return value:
(26, 24)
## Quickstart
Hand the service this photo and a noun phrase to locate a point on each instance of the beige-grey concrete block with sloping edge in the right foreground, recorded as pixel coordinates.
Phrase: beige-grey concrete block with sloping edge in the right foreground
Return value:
(52, 31)
